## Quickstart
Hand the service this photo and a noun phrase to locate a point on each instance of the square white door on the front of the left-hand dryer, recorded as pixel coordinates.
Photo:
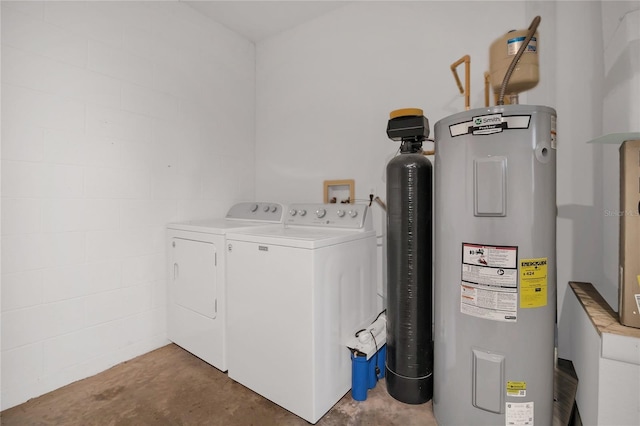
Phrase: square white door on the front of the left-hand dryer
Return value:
(194, 284)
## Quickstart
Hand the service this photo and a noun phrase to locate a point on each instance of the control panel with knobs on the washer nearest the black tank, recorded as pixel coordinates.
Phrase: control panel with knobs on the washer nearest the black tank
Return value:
(352, 216)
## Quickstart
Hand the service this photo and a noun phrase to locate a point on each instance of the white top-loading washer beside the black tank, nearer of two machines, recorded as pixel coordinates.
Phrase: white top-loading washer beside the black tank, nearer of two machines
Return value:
(297, 293)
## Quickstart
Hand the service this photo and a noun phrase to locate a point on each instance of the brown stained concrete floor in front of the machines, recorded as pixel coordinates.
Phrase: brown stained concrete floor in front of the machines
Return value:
(169, 386)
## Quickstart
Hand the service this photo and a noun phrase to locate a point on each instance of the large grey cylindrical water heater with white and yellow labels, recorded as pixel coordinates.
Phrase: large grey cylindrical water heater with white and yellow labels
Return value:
(495, 269)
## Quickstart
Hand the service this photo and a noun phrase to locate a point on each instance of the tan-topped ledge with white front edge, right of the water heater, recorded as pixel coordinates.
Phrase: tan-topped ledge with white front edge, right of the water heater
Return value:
(619, 342)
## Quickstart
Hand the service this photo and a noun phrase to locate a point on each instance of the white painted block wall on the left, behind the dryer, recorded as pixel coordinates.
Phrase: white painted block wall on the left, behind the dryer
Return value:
(117, 117)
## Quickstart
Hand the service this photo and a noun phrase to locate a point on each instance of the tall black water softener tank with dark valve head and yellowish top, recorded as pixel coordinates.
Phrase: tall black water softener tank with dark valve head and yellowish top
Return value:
(409, 363)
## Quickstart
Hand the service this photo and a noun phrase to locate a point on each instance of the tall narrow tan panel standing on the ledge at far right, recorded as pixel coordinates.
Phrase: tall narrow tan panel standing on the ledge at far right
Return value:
(629, 286)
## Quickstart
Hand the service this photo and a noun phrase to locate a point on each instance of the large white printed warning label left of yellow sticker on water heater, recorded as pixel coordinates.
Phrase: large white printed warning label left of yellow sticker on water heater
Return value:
(489, 287)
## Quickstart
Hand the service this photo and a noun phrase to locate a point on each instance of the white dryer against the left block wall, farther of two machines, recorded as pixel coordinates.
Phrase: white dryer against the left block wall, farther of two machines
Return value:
(197, 315)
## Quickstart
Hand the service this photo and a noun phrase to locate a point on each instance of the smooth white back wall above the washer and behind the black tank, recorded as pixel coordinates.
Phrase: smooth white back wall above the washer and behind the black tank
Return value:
(325, 89)
